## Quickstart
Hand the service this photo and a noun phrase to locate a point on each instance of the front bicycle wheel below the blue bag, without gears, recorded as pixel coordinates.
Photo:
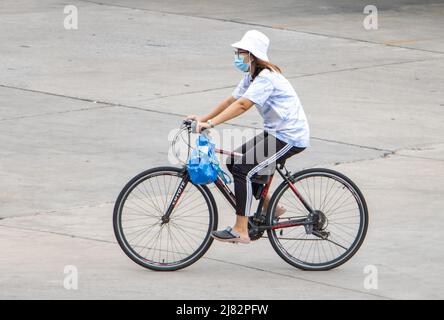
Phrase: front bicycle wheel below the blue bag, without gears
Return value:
(156, 244)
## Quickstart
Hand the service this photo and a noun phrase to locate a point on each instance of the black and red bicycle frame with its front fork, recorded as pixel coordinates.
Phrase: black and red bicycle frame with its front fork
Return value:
(229, 195)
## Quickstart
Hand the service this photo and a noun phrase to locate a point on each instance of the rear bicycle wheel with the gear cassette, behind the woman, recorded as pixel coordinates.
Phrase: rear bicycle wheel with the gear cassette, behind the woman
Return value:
(339, 209)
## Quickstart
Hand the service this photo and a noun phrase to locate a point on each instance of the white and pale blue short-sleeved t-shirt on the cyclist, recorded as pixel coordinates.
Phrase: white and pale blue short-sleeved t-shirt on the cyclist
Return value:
(279, 106)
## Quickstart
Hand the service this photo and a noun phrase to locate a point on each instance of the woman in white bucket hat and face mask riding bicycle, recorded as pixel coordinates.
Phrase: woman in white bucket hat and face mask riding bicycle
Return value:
(286, 130)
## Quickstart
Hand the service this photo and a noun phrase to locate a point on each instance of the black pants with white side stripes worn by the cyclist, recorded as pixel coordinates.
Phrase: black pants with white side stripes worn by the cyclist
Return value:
(258, 162)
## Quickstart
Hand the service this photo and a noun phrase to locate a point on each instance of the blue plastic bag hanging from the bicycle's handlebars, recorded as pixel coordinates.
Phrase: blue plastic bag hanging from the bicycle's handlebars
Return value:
(203, 166)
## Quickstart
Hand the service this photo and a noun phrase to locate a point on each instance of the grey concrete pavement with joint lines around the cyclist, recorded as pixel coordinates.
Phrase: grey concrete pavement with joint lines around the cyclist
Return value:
(82, 111)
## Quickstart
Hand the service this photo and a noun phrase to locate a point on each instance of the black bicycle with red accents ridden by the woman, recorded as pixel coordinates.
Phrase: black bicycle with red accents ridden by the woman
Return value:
(163, 222)
